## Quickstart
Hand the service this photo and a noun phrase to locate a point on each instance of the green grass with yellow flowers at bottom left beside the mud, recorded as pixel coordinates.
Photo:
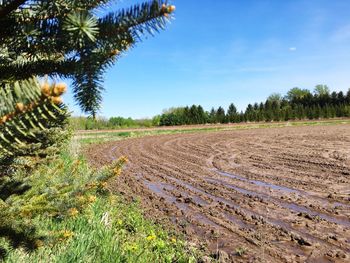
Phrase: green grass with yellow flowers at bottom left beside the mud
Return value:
(108, 231)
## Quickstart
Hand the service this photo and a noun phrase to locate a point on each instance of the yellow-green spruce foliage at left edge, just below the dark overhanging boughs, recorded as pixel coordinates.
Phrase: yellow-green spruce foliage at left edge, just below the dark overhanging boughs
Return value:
(32, 123)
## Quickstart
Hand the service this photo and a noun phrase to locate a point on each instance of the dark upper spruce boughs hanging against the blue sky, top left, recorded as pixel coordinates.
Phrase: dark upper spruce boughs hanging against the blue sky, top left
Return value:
(67, 39)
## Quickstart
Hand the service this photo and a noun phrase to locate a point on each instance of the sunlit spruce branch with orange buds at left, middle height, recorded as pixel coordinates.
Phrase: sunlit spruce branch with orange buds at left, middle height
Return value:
(27, 110)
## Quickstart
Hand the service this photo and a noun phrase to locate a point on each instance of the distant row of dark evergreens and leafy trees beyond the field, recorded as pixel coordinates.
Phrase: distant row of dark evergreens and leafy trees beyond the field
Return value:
(297, 104)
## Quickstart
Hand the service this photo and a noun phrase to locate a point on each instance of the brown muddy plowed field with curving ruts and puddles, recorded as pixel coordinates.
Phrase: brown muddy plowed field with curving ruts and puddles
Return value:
(265, 195)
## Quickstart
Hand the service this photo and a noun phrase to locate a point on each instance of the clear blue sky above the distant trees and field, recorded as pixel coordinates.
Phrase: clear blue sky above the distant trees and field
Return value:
(217, 52)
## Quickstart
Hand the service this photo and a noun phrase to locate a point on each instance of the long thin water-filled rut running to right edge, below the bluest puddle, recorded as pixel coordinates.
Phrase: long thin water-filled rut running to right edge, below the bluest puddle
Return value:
(290, 206)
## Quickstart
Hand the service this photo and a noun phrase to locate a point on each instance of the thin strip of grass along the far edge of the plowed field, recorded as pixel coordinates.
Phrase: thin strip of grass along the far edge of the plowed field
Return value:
(101, 136)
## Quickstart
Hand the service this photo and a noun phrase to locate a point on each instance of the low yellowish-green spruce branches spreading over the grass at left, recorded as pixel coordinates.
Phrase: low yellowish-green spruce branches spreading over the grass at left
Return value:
(56, 190)
